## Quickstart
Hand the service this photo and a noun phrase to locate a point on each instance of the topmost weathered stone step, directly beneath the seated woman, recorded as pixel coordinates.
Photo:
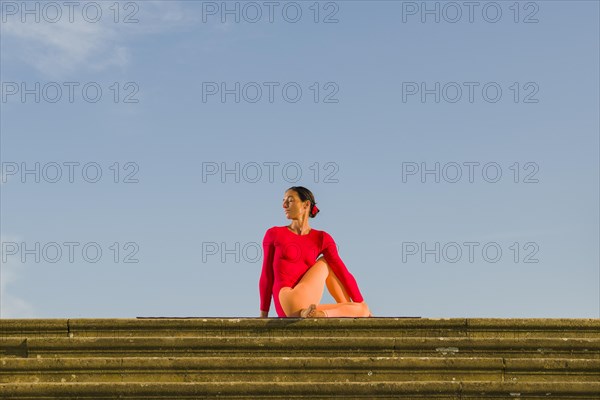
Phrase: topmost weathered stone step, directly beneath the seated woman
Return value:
(297, 327)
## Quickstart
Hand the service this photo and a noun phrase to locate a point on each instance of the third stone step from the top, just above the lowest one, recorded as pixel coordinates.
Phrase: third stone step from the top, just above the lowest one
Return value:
(296, 369)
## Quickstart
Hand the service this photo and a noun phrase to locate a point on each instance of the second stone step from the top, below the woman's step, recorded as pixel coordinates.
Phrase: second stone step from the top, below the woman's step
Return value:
(308, 346)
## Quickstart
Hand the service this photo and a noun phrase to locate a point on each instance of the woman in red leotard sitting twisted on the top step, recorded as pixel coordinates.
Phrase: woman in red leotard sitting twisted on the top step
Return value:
(293, 275)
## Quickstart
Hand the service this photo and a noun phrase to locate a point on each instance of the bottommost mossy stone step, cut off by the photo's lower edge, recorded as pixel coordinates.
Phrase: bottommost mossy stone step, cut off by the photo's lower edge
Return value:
(254, 390)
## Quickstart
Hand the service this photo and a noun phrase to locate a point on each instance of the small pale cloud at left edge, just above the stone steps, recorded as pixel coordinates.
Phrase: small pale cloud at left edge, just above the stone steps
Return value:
(12, 306)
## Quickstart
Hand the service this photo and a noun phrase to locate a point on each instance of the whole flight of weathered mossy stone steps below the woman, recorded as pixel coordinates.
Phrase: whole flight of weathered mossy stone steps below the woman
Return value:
(333, 358)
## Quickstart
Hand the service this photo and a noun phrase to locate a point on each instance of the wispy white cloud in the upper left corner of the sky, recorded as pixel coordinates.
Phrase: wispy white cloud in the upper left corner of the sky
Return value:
(57, 50)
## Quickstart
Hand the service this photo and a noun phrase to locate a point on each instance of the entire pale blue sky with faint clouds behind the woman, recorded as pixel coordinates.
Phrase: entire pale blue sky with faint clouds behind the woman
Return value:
(160, 127)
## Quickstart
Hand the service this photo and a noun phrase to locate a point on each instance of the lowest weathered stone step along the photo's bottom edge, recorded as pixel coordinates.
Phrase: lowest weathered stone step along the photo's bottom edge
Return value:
(430, 390)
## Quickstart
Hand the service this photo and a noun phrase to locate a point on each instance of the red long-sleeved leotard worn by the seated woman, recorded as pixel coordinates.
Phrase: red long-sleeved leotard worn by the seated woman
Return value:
(287, 256)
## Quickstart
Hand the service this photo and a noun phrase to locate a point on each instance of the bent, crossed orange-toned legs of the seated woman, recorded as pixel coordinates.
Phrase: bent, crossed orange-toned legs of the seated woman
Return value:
(310, 290)
